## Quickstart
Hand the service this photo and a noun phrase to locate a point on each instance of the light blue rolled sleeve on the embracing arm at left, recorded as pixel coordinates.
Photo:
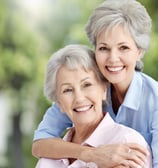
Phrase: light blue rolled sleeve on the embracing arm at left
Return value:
(53, 124)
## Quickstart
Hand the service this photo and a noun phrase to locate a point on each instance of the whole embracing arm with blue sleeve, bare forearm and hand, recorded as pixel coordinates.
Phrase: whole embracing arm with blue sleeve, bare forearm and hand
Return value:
(54, 123)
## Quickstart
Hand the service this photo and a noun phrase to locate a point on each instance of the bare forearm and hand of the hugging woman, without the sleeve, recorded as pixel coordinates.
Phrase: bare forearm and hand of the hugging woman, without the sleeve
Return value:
(103, 156)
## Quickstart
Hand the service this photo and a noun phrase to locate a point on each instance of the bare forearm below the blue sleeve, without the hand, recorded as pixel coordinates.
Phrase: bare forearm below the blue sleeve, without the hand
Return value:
(57, 148)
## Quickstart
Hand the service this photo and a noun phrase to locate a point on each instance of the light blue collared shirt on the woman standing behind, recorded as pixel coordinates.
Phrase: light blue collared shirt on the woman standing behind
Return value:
(139, 111)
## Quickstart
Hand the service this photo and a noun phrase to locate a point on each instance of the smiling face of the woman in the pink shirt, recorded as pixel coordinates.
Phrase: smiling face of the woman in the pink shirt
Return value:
(80, 95)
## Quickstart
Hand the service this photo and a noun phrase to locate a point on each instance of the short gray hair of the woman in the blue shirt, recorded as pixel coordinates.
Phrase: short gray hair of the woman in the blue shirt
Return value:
(129, 13)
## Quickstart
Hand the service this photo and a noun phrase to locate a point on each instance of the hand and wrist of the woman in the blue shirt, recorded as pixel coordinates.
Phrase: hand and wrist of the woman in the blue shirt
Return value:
(126, 155)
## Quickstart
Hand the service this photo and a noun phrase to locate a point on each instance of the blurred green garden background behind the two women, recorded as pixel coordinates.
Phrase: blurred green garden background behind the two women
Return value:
(30, 31)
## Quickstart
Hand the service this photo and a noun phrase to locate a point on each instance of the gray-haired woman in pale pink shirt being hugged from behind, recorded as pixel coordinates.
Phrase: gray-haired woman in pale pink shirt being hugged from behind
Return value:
(74, 81)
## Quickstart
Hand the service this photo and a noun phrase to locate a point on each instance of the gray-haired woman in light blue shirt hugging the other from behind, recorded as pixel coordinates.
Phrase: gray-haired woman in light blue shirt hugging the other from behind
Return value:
(120, 31)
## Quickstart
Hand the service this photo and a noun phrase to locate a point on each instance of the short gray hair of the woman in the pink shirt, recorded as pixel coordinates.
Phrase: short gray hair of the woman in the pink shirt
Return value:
(72, 56)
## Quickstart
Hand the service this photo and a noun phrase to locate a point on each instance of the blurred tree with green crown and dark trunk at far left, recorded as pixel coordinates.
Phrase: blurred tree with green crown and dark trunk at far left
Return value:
(18, 69)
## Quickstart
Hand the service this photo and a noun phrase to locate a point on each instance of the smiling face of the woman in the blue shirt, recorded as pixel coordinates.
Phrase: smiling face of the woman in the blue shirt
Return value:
(116, 55)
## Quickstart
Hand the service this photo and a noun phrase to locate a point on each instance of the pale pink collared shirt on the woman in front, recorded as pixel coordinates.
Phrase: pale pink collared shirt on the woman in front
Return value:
(107, 132)
